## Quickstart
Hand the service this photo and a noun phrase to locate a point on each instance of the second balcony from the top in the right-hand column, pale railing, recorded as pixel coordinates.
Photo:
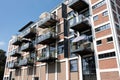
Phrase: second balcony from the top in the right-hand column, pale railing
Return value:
(79, 23)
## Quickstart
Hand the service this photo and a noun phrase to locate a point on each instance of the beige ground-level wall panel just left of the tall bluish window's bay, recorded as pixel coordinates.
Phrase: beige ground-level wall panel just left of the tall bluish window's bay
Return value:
(61, 71)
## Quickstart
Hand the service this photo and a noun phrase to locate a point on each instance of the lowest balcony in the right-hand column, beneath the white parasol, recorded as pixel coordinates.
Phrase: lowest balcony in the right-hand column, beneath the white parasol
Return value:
(83, 48)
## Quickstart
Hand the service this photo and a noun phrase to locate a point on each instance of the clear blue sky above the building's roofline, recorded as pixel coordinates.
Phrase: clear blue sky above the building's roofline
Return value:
(16, 13)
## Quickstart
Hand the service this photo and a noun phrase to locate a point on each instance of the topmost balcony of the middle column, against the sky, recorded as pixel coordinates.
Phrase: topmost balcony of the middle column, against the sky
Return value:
(47, 20)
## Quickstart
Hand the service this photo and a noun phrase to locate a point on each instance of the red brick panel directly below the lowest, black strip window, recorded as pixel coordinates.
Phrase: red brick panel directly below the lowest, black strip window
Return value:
(108, 63)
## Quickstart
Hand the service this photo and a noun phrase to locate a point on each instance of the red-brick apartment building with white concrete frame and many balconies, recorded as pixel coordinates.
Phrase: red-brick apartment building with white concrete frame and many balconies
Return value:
(77, 40)
